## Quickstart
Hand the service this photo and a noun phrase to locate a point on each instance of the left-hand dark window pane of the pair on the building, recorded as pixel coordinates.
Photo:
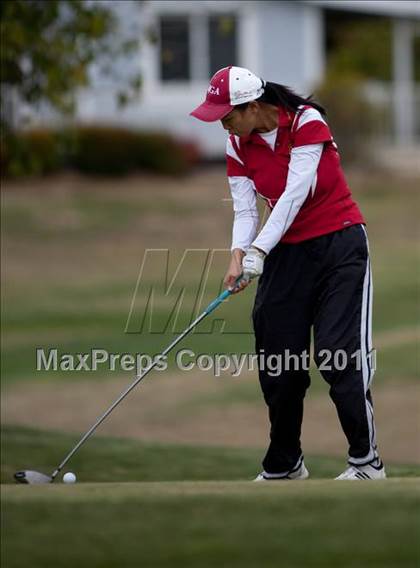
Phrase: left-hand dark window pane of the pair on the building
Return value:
(174, 48)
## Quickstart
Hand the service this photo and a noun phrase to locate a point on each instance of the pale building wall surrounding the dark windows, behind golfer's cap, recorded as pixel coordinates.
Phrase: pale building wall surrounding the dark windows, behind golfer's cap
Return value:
(266, 32)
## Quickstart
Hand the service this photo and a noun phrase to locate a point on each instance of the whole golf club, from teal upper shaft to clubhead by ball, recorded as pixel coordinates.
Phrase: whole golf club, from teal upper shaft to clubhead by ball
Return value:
(35, 478)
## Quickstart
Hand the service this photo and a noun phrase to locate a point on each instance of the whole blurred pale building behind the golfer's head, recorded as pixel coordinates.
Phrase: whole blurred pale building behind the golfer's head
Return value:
(287, 42)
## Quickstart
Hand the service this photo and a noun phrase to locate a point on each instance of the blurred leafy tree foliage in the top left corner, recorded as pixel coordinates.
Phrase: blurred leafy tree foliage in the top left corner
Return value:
(48, 46)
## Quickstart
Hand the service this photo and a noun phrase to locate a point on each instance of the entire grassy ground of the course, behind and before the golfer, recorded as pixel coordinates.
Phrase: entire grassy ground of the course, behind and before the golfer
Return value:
(73, 250)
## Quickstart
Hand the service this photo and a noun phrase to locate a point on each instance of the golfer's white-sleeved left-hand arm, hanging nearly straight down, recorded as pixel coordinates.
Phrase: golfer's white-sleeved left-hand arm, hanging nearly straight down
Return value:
(246, 218)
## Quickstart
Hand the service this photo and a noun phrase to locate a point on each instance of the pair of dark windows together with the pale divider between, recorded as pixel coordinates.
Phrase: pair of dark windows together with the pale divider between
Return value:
(194, 47)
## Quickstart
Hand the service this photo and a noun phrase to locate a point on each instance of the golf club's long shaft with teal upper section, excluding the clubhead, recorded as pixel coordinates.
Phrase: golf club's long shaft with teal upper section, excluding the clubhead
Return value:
(212, 306)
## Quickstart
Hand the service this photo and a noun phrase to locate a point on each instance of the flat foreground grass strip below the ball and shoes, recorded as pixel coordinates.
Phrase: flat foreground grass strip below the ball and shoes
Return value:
(207, 524)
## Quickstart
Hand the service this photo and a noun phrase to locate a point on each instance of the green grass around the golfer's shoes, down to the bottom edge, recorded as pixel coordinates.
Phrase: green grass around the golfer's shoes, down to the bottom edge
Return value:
(185, 506)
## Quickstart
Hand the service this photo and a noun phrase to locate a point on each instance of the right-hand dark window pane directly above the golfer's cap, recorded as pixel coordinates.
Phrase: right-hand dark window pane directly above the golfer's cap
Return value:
(222, 42)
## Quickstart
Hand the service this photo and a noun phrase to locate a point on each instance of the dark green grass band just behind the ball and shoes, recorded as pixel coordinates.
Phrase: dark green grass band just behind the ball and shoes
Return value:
(105, 459)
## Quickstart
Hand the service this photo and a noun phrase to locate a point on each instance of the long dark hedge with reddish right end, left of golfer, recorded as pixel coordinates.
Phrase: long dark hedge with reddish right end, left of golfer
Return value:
(95, 150)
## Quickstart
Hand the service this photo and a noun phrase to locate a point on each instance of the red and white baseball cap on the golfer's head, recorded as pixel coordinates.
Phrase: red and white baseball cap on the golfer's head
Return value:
(228, 87)
